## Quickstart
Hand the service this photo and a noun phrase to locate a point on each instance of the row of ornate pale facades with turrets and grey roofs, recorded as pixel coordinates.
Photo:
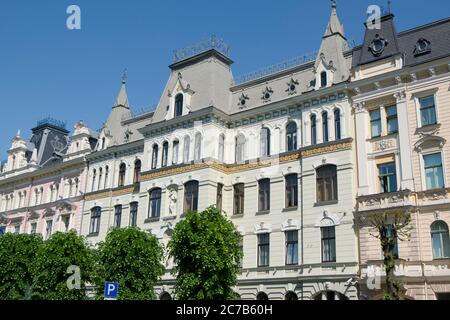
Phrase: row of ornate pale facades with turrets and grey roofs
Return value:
(298, 157)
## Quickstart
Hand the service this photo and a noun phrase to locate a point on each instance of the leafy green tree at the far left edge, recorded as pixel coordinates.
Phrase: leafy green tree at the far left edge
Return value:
(17, 256)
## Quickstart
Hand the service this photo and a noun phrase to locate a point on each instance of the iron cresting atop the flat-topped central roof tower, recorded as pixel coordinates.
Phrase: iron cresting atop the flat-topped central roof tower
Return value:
(213, 42)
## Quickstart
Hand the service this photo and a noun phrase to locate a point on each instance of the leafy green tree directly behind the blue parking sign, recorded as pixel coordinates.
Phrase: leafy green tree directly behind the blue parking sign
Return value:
(133, 258)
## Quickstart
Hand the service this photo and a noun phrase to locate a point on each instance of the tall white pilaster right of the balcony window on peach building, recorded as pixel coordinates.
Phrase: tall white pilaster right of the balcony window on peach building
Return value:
(404, 143)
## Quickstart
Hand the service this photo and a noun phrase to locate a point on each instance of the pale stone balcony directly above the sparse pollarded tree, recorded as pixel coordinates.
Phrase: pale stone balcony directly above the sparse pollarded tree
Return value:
(385, 201)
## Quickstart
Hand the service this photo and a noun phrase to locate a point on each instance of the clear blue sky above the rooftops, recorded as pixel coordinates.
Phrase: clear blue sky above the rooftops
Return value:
(47, 69)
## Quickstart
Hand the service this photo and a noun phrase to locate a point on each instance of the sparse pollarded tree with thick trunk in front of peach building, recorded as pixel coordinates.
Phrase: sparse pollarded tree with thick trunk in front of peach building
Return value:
(389, 228)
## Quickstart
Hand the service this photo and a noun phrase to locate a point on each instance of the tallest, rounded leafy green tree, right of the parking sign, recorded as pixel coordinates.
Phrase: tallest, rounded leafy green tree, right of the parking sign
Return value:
(206, 250)
